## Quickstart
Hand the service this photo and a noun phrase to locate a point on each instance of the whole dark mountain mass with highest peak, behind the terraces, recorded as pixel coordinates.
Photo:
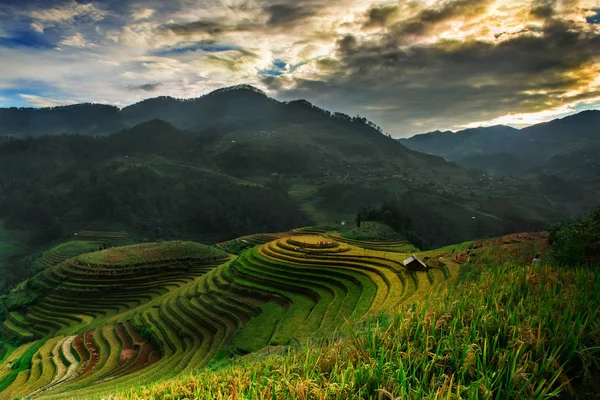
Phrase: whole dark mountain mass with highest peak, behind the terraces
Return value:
(147, 167)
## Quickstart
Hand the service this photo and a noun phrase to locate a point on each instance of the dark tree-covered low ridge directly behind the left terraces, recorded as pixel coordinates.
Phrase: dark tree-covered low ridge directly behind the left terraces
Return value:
(150, 205)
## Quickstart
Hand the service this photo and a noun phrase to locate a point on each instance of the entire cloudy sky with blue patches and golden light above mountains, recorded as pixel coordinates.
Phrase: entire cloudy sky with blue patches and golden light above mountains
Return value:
(411, 66)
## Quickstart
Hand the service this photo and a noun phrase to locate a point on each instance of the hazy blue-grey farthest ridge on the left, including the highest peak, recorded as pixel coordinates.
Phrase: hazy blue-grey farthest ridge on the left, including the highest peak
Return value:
(225, 108)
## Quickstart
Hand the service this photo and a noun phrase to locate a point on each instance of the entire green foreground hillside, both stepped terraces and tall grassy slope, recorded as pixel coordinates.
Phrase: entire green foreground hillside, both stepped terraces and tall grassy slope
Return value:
(162, 311)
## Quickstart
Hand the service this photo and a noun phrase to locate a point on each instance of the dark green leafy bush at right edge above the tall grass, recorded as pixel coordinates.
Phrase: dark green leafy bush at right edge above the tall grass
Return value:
(577, 242)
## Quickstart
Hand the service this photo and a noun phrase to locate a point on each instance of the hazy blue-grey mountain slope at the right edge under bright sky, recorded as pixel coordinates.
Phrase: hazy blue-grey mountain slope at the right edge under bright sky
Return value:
(563, 151)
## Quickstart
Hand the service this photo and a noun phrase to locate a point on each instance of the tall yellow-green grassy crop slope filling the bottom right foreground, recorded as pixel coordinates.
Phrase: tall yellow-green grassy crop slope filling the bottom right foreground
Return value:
(510, 332)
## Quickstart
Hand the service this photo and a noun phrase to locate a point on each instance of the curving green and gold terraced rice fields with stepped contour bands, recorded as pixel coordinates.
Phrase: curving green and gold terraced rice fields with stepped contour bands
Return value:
(124, 317)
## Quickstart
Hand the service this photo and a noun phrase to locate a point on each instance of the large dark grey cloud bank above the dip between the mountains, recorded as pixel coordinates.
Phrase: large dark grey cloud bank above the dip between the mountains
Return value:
(449, 82)
